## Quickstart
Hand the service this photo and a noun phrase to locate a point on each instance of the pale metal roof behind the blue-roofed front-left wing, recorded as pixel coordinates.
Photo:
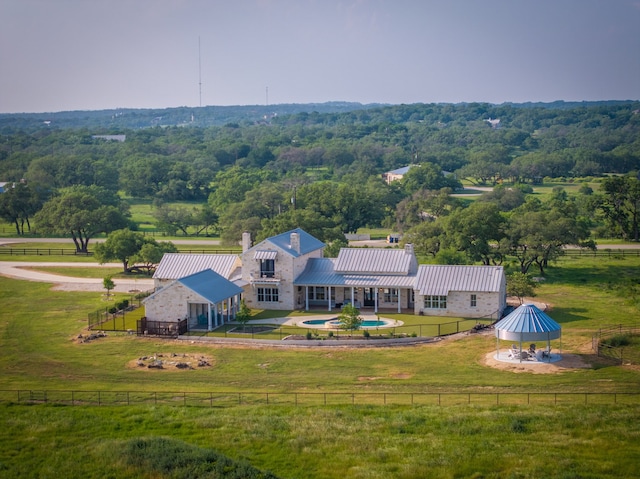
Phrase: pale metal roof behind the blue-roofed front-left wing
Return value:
(179, 265)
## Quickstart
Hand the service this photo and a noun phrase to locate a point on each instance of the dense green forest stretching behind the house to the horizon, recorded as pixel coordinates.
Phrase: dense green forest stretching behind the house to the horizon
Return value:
(269, 169)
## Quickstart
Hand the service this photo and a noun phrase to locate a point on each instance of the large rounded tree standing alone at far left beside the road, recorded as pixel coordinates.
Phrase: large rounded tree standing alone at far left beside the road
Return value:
(82, 212)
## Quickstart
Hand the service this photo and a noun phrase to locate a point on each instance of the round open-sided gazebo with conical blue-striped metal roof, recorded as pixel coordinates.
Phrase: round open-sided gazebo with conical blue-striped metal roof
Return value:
(527, 324)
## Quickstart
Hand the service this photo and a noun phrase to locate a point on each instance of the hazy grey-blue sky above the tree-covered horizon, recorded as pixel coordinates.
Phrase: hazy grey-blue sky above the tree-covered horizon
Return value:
(61, 55)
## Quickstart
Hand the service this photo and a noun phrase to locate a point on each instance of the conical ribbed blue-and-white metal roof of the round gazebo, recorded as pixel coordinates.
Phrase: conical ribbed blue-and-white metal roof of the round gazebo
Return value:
(527, 323)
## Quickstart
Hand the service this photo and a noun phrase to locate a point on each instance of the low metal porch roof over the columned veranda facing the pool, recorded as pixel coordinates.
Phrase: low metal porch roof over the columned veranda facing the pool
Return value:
(321, 272)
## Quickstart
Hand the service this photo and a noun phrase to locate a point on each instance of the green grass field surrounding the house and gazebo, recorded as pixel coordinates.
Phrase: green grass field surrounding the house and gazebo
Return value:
(567, 439)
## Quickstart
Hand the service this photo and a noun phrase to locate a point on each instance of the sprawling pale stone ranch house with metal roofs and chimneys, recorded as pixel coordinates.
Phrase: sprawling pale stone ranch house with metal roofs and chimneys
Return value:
(289, 271)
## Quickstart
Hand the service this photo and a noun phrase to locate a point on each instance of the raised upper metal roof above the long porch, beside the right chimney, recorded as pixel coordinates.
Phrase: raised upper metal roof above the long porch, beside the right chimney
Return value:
(375, 261)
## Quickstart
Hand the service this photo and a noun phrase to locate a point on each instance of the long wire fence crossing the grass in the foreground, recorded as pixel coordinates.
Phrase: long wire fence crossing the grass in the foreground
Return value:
(247, 398)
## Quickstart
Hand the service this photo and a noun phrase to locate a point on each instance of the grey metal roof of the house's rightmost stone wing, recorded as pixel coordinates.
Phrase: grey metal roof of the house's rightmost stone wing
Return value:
(438, 280)
